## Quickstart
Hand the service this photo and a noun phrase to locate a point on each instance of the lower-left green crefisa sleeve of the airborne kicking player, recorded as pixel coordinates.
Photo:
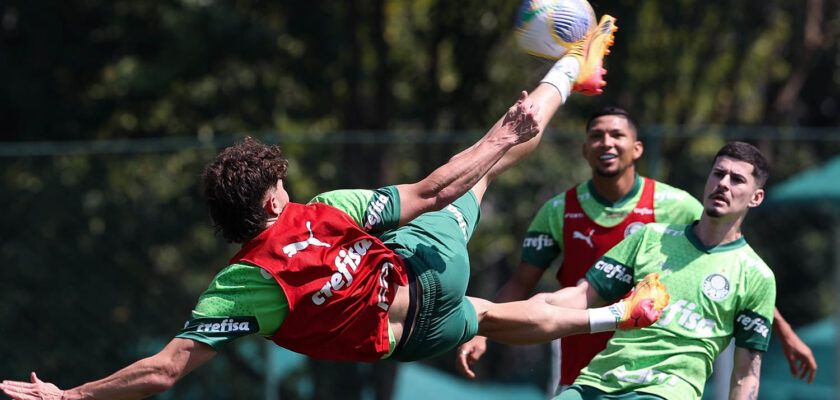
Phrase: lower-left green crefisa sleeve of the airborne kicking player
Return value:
(241, 300)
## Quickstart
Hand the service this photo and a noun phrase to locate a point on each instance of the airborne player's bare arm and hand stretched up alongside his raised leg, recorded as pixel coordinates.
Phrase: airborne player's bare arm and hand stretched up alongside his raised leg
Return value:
(449, 182)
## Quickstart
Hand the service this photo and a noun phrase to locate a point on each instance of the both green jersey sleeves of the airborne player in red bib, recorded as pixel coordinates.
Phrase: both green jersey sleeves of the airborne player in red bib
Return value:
(244, 299)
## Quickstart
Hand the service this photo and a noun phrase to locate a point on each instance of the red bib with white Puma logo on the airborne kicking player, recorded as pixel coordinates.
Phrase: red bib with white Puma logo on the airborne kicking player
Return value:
(339, 282)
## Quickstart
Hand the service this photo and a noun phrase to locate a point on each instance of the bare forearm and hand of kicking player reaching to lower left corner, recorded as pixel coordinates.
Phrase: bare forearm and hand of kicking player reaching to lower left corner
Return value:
(141, 379)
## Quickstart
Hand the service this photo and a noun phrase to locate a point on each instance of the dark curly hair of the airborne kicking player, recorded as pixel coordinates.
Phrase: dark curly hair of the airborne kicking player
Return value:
(235, 184)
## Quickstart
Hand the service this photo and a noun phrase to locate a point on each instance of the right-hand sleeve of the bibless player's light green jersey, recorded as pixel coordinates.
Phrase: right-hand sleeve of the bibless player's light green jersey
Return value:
(754, 318)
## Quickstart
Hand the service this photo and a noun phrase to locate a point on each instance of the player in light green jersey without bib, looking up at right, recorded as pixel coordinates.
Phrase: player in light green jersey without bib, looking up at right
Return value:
(720, 289)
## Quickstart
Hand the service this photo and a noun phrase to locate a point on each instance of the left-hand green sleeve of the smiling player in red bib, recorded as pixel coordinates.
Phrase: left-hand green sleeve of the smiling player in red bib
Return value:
(544, 238)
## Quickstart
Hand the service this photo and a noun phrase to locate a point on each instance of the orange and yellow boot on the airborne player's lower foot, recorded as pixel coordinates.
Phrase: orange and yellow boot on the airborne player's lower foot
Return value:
(644, 305)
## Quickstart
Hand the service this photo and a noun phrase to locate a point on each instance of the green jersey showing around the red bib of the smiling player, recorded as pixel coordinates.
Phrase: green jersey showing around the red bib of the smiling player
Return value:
(544, 239)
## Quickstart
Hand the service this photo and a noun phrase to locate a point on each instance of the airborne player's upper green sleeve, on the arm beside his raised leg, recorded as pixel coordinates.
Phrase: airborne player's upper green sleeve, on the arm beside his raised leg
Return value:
(373, 210)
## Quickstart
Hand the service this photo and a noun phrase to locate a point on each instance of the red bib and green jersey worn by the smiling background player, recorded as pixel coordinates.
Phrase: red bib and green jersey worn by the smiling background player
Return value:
(583, 226)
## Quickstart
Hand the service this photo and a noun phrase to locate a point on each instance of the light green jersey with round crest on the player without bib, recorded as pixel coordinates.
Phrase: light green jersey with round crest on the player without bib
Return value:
(716, 293)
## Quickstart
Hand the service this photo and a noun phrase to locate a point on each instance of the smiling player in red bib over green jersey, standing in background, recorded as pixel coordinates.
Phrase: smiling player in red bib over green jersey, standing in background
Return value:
(586, 221)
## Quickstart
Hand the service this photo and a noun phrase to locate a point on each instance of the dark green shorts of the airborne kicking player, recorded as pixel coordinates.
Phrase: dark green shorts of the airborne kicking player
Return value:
(435, 247)
